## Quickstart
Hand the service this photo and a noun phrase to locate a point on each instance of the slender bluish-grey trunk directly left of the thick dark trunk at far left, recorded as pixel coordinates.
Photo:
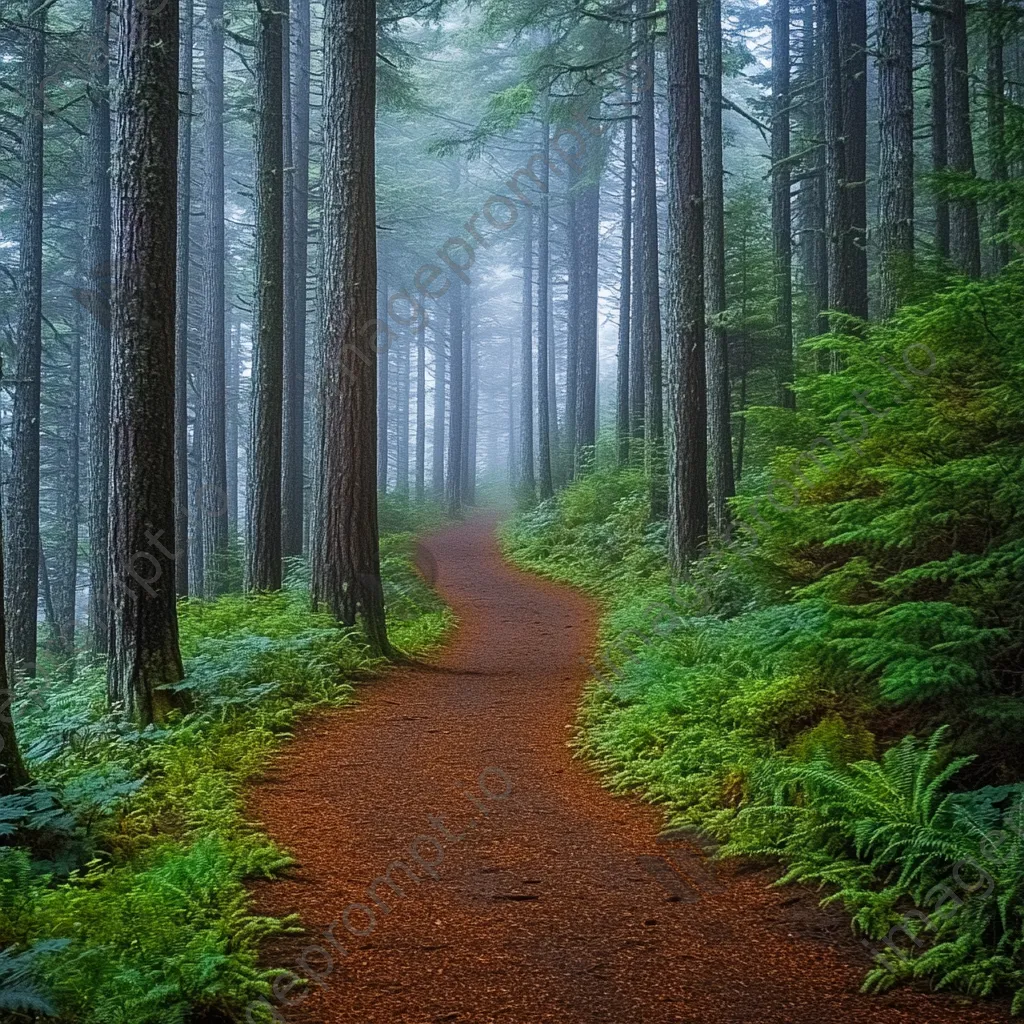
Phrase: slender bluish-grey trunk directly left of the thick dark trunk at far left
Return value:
(99, 339)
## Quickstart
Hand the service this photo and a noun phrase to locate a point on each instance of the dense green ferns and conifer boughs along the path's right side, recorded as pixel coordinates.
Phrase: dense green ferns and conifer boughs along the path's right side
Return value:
(872, 594)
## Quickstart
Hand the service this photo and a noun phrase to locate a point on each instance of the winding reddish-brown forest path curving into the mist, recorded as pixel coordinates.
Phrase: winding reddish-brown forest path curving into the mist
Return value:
(557, 903)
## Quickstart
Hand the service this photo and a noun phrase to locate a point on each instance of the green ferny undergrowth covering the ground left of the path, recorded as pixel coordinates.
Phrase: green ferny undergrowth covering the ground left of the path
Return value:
(124, 900)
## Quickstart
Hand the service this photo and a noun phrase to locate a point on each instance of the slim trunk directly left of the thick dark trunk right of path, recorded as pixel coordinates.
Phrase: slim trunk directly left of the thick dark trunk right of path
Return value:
(649, 313)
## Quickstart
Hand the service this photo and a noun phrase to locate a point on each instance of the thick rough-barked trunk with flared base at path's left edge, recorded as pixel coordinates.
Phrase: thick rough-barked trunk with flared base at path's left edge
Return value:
(347, 575)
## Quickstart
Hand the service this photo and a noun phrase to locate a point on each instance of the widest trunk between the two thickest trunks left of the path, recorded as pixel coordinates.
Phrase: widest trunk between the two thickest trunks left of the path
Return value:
(264, 491)
